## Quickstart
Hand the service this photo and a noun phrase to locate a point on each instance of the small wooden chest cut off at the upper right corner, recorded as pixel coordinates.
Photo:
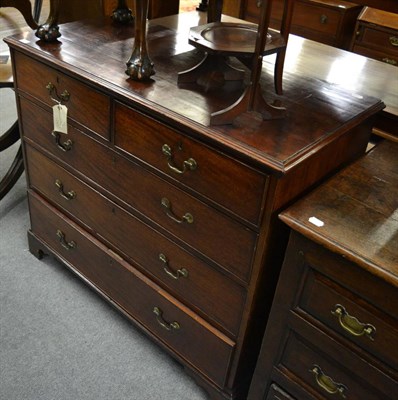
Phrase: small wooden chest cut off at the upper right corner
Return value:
(376, 35)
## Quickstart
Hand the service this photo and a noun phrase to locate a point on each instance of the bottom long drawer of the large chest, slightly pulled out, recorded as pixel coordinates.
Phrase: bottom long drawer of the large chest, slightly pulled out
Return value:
(176, 327)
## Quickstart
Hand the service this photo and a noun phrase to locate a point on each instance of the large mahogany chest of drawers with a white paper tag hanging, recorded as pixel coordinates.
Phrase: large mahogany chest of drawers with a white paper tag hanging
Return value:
(171, 220)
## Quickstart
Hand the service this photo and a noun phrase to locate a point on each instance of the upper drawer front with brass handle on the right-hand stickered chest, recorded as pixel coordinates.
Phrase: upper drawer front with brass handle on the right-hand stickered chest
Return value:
(350, 315)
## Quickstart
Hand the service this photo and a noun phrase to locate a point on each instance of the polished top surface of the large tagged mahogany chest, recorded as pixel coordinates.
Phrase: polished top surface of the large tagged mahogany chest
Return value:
(95, 52)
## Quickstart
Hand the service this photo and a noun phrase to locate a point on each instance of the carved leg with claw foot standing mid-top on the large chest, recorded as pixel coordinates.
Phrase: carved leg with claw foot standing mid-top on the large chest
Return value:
(139, 66)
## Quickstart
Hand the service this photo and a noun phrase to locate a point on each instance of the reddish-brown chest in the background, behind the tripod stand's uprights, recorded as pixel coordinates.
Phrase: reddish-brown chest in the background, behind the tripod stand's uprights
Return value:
(326, 21)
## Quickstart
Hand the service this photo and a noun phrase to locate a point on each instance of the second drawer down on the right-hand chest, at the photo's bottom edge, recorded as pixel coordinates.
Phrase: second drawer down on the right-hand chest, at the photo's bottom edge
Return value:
(329, 372)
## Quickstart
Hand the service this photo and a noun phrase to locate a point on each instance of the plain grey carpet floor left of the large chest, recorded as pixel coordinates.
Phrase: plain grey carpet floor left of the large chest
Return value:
(58, 339)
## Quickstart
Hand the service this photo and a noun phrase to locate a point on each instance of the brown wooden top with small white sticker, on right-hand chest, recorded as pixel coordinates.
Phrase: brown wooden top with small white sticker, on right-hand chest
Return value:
(355, 213)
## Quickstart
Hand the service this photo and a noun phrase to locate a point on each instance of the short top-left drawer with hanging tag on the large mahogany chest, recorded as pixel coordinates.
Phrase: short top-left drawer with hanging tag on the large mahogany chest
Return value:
(86, 106)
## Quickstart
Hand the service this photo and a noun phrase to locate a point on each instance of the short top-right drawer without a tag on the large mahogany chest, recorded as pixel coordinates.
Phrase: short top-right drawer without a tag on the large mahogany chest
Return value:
(215, 176)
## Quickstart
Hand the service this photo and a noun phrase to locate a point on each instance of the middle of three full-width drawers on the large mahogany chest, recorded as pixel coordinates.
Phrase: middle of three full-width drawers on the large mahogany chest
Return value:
(194, 282)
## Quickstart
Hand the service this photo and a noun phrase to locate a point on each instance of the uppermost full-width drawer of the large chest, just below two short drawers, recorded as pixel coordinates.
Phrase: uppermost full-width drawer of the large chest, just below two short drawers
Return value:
(213, 234)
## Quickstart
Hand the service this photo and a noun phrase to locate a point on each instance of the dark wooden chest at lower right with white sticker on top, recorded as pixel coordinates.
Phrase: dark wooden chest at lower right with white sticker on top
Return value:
(333, 328)
